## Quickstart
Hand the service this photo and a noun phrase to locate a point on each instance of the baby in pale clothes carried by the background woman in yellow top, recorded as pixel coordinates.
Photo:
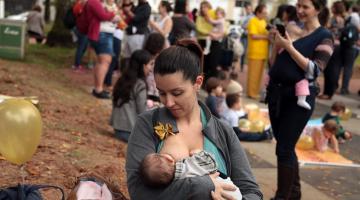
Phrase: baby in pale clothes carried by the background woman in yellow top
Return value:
(218, 31)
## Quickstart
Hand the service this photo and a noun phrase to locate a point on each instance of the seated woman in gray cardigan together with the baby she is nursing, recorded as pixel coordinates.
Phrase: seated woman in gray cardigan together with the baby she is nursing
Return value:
(183, 142)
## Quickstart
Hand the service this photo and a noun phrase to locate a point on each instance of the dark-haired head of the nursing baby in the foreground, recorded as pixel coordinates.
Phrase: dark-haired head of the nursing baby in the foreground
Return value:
(157, 170)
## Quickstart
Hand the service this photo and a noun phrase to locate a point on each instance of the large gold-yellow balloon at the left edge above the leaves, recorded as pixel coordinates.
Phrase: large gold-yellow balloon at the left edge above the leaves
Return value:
(20, 130)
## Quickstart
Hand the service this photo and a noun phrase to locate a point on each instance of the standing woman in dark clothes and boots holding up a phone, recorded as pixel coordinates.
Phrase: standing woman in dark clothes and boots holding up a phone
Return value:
(304, 58)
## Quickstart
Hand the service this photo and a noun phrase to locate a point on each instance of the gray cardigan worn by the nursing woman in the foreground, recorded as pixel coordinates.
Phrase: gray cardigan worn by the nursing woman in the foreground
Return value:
(143, 142)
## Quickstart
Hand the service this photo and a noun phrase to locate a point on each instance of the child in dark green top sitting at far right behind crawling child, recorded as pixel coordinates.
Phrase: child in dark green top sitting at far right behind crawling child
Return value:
(337, 109)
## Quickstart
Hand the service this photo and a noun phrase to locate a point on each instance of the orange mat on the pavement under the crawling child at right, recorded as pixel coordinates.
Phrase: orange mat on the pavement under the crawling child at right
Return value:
(327, 156)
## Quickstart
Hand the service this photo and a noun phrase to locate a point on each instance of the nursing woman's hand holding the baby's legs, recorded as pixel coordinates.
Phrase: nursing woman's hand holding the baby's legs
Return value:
(220, 189)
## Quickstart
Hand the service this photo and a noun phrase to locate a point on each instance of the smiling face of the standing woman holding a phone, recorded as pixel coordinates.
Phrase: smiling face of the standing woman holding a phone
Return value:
(306, 11)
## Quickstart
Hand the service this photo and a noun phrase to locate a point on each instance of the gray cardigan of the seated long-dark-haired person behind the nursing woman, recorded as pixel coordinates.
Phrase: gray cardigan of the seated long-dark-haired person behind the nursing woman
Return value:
(123, 118)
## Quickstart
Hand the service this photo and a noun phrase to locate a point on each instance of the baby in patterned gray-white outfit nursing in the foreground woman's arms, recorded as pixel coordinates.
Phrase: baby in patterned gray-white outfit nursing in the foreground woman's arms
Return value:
(158, 169)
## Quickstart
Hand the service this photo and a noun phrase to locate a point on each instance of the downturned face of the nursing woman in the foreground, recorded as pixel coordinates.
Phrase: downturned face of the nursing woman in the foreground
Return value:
(178, 95)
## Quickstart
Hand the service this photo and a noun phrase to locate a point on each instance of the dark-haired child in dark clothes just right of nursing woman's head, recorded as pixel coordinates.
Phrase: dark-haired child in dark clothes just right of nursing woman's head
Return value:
(215, 95)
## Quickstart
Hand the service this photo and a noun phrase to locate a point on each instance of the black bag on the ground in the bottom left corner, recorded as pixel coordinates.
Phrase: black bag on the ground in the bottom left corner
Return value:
(26, 192)
